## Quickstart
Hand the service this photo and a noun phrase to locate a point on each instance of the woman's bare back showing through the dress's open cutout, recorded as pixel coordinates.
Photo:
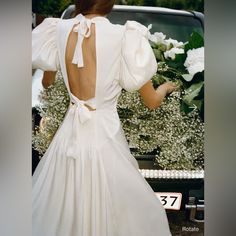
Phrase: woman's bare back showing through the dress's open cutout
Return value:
(82, 81)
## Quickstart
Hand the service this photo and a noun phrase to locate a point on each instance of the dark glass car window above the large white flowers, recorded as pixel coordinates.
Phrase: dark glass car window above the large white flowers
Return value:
(178, 27)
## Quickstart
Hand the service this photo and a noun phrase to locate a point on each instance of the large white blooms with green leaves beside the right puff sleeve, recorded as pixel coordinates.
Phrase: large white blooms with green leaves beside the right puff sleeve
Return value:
(182, 63)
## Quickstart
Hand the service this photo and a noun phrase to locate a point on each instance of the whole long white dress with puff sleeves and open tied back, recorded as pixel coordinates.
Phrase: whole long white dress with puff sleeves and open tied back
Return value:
(88, 183)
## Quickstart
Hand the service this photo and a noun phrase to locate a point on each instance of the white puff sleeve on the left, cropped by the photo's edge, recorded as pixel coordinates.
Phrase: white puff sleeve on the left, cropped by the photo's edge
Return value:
(44, 46)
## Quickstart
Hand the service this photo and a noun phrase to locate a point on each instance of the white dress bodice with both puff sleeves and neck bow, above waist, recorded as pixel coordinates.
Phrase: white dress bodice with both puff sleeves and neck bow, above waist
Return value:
(125, 58)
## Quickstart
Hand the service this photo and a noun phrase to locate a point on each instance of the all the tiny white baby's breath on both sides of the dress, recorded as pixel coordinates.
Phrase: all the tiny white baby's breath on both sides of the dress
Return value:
(175, 138)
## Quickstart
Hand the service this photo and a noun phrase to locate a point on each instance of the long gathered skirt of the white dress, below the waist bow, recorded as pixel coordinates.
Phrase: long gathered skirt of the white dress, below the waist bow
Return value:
(96, 190)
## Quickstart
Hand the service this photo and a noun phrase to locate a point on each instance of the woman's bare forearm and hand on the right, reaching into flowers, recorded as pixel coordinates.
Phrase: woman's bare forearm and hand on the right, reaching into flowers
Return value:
(153, 98)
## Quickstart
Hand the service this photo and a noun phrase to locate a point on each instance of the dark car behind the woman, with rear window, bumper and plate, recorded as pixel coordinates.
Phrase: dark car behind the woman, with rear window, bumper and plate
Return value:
(177, 190)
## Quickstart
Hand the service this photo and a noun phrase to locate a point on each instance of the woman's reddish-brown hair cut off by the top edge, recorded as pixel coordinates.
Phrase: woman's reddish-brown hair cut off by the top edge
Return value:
(101, 7)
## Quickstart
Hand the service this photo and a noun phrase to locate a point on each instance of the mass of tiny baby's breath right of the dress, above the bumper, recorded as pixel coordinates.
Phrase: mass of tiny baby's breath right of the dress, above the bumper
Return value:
(175, 138)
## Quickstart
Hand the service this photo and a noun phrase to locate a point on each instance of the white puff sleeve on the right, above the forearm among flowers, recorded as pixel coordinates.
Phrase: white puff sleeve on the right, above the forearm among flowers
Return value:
(138, 62)
